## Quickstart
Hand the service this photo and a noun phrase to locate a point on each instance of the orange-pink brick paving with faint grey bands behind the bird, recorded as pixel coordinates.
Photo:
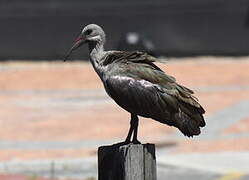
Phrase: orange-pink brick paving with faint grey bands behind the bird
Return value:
(42, 102)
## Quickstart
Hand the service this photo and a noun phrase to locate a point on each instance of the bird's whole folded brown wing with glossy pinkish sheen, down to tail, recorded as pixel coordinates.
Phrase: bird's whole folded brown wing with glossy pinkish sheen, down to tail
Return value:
(136, 83)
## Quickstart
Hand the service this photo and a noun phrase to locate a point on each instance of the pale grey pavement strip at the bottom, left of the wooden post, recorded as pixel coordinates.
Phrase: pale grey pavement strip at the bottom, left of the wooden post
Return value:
(62, 168)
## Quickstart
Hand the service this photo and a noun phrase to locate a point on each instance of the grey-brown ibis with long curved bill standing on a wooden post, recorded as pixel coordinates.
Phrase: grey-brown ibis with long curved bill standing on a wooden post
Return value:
(137, 85)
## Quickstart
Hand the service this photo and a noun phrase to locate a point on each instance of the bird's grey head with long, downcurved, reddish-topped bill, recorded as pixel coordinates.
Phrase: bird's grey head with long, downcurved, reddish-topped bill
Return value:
(92, 33)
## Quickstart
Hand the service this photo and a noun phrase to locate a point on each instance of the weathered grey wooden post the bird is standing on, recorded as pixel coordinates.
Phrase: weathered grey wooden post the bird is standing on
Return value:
(127, 162)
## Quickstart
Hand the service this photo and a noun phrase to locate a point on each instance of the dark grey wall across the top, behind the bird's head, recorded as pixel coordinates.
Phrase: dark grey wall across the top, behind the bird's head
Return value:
(45, 29)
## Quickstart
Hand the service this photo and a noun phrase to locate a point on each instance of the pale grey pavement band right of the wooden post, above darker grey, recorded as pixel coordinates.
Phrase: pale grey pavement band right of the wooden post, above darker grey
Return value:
(220, 163)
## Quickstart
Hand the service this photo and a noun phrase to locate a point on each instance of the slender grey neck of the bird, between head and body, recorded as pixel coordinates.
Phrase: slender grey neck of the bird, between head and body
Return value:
(97, 53)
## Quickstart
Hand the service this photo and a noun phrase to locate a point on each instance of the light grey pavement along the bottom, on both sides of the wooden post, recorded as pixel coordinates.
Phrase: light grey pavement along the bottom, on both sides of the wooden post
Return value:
(174, 167)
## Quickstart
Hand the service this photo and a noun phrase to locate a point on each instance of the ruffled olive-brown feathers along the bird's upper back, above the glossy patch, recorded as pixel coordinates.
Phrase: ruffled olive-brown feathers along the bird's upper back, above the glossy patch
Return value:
(140, 65)
